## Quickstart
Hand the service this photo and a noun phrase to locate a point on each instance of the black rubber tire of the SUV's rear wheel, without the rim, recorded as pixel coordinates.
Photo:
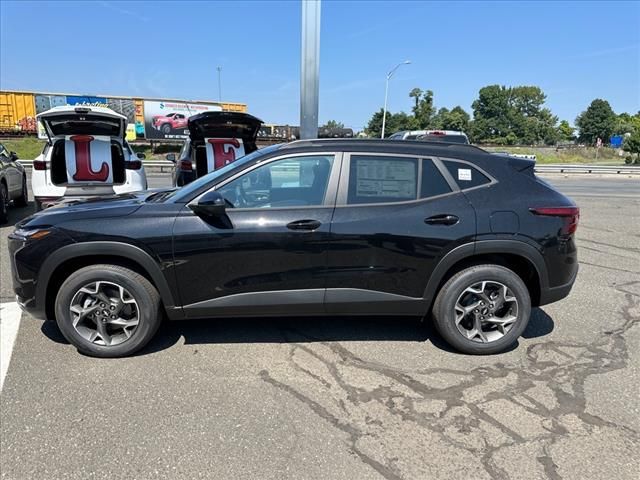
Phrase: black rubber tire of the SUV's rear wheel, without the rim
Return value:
(445, 305)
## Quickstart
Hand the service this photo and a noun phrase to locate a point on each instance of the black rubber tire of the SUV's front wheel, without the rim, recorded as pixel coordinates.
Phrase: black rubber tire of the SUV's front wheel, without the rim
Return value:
(143, 292)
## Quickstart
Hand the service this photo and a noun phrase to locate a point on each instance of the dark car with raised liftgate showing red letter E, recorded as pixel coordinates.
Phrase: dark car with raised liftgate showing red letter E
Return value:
(215, 139)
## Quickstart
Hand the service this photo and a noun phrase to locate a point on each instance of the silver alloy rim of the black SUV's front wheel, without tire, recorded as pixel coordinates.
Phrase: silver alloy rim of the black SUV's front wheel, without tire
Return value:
(104, 313)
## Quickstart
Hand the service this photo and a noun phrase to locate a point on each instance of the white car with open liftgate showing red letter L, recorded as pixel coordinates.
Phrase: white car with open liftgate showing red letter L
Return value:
(86, 155)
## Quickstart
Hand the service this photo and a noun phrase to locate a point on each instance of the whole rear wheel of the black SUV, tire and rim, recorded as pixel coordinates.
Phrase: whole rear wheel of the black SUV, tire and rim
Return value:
(482, 309)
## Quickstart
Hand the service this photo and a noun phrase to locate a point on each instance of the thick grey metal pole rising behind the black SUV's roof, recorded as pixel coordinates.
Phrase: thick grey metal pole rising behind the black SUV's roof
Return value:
(310, 69)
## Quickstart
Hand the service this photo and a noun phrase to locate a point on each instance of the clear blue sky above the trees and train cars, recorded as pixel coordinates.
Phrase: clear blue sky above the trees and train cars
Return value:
(575, 51)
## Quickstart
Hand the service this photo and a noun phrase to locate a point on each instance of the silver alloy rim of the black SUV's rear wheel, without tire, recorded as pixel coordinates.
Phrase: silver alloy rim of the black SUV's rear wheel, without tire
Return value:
(486, 311)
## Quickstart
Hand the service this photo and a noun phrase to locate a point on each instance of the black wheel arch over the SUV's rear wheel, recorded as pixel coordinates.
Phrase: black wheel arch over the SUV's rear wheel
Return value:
(522, 258)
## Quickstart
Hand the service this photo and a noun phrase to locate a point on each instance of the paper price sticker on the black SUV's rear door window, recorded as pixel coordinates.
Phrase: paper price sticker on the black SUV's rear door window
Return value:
(386, 178)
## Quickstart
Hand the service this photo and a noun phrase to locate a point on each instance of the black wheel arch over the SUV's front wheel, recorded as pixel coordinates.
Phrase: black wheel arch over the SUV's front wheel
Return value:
(58, 266)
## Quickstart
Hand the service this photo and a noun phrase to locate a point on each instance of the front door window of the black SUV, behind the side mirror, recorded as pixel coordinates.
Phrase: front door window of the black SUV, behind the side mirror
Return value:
(290, 182)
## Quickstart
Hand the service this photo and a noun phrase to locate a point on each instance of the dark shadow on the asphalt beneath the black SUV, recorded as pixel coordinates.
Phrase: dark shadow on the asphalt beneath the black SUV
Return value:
(305, 330)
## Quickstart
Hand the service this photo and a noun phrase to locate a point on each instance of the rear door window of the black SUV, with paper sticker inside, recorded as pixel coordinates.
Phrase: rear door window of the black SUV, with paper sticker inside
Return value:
(379, 179)
